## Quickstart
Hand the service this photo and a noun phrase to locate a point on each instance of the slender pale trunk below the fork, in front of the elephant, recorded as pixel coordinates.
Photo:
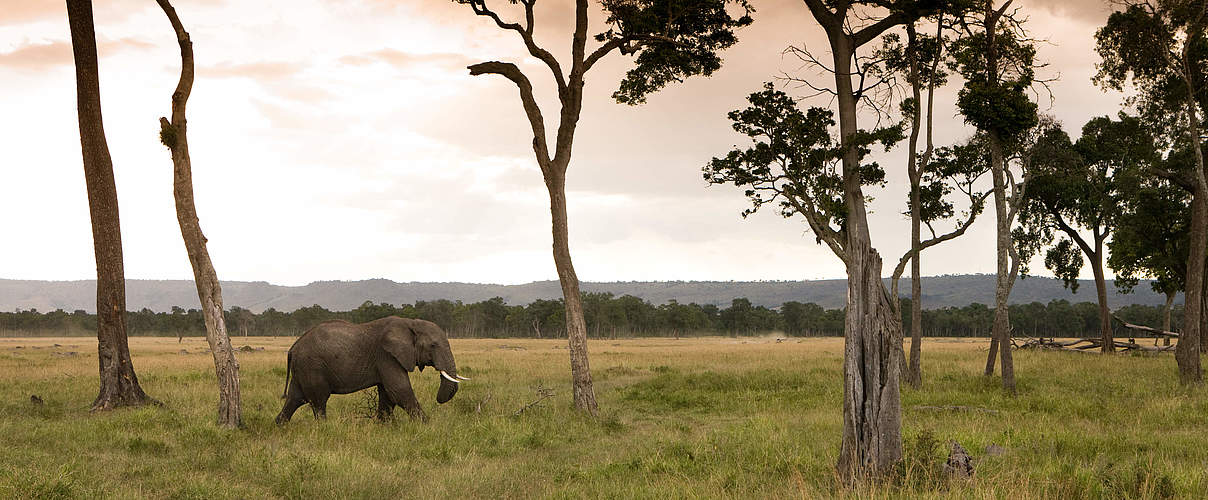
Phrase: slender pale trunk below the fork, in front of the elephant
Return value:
(577, 329)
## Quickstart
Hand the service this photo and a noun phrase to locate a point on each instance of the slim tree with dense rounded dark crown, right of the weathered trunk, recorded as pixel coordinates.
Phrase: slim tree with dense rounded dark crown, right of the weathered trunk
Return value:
(998, 65)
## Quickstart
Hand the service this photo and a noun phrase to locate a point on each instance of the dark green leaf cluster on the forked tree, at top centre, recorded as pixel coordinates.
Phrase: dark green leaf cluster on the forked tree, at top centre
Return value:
(672, 40)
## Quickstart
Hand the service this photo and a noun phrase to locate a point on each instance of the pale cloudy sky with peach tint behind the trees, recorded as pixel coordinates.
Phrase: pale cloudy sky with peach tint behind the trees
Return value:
(346, 141)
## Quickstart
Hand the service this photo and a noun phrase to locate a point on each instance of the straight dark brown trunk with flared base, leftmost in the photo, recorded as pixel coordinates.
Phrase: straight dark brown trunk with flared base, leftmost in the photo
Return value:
(119, 383)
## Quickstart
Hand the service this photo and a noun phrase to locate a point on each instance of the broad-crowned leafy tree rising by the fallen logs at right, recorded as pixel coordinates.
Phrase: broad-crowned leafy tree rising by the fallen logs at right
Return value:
(1076, 189)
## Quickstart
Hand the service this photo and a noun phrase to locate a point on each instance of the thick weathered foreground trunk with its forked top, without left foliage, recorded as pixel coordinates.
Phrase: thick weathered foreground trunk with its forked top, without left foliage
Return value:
(873, 328)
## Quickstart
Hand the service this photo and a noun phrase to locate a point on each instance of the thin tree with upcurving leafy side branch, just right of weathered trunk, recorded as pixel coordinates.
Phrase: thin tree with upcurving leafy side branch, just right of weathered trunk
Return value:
(957, 168)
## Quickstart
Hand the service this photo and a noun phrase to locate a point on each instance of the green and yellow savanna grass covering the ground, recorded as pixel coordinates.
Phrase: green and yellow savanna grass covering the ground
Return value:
(689, 418)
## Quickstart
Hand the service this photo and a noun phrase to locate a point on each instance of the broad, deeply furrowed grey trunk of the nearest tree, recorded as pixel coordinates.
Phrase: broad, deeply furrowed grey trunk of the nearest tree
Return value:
(873, 342)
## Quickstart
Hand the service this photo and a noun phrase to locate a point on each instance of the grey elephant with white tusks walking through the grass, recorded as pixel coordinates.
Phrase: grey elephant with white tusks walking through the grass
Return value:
(342, 358)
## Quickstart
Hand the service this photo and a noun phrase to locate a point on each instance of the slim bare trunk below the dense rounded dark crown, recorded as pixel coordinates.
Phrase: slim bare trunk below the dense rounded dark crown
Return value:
(1002, 334)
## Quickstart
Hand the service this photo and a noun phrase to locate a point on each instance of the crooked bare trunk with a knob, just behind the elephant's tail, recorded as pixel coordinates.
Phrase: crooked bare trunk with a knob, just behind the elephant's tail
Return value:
(175, 136)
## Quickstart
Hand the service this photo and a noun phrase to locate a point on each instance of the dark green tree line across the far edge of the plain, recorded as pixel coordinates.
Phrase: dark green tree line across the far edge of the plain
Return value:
(607, 317)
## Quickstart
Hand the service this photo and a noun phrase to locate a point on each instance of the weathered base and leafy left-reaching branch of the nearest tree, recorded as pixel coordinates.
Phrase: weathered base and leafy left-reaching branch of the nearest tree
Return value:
(794, 165)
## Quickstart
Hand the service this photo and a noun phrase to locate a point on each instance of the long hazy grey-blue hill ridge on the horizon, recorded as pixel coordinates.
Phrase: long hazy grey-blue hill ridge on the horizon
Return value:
(258, 296)
